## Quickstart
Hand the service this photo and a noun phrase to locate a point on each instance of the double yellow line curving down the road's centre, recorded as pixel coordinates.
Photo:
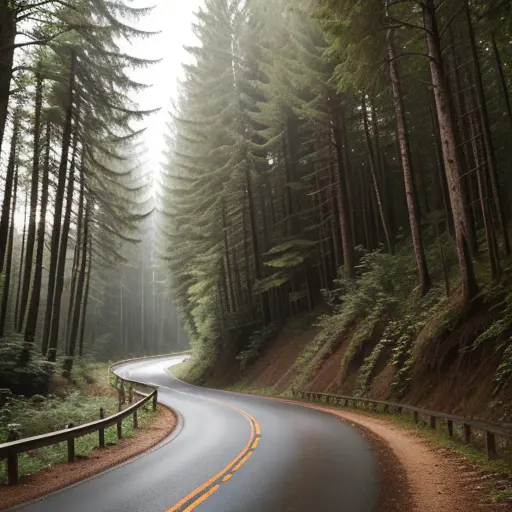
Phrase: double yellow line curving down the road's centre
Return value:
(204, 491)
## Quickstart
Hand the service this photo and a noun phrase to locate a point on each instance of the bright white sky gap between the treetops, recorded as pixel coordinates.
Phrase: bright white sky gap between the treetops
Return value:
(173, 19)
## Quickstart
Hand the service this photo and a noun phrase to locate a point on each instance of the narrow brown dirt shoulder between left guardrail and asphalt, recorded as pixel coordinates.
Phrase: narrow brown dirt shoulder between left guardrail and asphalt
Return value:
(65, 474)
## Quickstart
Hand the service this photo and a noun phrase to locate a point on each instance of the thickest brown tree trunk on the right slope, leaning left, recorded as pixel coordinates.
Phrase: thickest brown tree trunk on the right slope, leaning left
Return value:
(451, 161)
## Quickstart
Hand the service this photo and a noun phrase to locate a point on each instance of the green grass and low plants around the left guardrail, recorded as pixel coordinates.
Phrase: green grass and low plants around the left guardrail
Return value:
(40, 415)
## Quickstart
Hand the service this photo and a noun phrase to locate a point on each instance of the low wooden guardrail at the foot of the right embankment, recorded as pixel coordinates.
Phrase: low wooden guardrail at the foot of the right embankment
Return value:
(490, 430)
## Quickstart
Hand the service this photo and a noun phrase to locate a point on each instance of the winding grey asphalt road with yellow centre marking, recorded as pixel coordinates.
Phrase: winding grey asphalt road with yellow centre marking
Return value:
(232, 453)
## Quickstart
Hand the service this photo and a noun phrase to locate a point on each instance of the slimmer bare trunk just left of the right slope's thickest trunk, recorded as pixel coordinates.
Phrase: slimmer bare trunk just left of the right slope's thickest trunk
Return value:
(405, 155)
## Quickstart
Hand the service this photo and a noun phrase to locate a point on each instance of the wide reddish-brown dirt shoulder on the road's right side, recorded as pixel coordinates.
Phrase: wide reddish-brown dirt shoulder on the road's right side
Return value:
(418, 475)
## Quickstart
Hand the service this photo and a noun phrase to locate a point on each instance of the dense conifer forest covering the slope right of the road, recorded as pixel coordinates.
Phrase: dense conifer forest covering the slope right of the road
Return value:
(345, 152)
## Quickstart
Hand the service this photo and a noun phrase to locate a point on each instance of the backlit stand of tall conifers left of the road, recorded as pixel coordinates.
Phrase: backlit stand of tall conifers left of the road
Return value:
(80, 275)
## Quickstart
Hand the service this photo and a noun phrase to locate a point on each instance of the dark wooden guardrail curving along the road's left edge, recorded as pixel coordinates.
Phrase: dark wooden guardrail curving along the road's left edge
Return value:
(11, 450)
